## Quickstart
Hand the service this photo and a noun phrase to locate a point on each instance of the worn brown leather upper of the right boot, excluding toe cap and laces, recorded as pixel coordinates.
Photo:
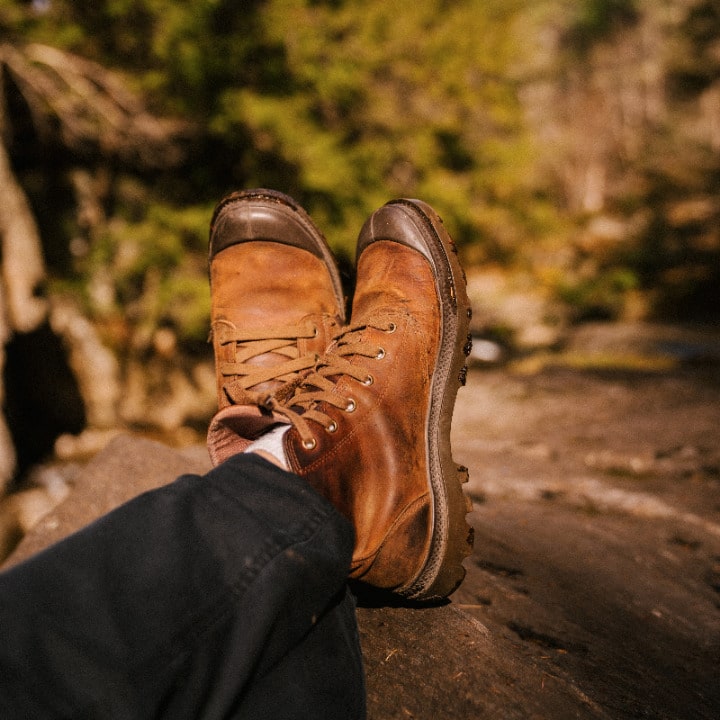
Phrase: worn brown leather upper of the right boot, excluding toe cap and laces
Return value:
(374, 467)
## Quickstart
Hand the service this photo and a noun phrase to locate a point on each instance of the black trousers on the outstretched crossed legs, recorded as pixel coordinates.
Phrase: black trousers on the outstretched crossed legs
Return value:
(222, 596)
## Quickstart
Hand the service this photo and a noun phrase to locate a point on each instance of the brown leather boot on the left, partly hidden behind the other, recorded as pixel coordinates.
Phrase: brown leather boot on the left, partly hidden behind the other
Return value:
(277, 301)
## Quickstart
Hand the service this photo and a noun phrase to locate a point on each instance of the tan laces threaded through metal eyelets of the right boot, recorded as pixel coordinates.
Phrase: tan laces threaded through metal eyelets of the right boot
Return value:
(320, 385)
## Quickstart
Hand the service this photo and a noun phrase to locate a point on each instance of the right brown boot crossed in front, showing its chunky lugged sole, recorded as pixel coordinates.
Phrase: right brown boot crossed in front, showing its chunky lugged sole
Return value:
(372, 423)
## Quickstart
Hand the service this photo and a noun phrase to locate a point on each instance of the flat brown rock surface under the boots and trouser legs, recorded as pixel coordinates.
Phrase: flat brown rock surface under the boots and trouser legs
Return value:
(594, 588)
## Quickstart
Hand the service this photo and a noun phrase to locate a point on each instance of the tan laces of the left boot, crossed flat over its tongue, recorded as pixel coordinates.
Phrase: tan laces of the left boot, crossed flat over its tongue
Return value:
(243, 375)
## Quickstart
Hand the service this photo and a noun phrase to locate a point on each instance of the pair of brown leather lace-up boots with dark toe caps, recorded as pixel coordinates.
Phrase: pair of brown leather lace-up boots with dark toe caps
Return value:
(368, 401)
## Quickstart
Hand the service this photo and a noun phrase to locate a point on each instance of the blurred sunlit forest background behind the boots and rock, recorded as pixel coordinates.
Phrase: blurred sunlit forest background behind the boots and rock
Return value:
(572, 147)
